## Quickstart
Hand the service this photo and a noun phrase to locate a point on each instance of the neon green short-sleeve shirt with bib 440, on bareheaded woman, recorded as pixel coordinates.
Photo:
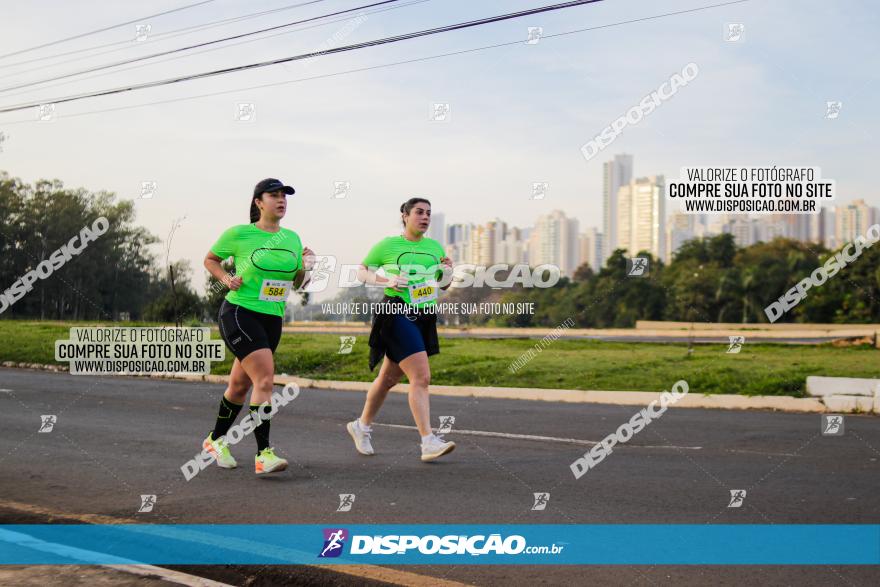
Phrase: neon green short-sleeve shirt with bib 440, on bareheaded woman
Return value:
(420, 261)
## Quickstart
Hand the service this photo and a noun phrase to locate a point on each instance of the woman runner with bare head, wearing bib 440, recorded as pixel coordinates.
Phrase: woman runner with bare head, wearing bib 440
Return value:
(405, 330)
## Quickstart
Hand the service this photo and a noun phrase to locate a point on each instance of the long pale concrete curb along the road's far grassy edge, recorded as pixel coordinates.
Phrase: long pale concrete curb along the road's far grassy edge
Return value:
(621, 398)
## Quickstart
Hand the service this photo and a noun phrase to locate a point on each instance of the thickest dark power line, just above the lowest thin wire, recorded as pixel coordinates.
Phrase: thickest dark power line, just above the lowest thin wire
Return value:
(356, 46)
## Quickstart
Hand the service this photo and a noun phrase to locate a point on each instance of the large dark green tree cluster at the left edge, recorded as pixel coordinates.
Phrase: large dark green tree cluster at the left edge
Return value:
(108, 276)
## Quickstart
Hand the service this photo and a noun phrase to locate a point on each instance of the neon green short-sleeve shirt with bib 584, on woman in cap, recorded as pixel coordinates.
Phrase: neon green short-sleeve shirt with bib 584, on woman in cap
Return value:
(267, 263)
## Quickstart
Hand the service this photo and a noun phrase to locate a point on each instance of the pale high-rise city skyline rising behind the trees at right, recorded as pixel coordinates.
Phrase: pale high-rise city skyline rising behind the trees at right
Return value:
(557, 239)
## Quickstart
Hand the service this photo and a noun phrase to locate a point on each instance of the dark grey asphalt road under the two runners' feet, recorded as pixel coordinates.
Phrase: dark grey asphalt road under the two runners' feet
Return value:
(118, 438)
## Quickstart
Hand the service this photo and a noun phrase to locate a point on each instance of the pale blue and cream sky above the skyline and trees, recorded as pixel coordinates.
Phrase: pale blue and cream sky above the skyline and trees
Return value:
(519, 114)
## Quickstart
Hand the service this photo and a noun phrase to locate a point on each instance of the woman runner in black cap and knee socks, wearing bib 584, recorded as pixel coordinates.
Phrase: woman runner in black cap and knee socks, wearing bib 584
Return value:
(270, 262)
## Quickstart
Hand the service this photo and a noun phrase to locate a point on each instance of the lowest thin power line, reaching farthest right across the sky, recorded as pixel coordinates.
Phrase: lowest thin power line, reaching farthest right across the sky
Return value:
(385, 65)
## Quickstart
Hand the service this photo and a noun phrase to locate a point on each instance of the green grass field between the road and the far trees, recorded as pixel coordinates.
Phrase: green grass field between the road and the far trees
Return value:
(768, 369)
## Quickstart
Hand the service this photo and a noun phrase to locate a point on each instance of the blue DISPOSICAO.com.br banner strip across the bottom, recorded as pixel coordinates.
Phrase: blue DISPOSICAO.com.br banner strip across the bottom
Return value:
(280, 544)
